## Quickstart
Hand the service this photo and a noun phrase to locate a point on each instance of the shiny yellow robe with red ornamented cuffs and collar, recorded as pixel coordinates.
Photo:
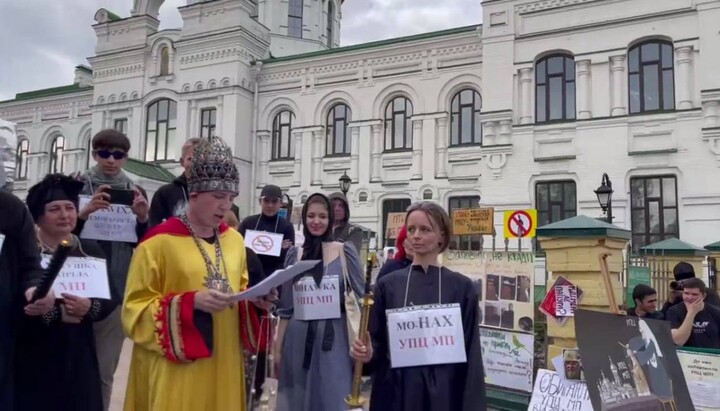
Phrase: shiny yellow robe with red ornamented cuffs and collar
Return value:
(162, 375)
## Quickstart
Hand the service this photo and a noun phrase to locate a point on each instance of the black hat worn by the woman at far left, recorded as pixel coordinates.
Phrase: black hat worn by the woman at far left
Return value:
(54, 187)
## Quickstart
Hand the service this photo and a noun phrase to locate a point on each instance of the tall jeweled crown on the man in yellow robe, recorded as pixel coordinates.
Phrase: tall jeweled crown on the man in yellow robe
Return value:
(213, 168)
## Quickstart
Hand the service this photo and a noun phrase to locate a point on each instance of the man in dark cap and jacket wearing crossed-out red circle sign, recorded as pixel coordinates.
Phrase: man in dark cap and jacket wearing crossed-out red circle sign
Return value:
(269, 221)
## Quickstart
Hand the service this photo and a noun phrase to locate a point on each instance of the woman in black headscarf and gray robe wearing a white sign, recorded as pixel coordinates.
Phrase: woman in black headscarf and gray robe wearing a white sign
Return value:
(312, 348)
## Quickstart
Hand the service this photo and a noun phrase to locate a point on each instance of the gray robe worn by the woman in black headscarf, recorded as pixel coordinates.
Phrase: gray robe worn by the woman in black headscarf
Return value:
(327, 380)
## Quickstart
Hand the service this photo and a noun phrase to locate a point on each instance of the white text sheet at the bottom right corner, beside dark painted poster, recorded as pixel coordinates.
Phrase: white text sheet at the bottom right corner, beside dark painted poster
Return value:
(702, 373)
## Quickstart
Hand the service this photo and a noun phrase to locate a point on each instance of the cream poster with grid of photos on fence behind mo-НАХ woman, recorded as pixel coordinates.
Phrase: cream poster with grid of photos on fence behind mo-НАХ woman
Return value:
(504, 282)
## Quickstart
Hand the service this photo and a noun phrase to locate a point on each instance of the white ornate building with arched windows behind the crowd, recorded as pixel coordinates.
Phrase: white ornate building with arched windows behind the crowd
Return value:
(526, 111)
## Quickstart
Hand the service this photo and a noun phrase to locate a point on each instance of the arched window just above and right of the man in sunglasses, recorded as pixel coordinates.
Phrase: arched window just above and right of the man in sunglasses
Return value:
(160, 142)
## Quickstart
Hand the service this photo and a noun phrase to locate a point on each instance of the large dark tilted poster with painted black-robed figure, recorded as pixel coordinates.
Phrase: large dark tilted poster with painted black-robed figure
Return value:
(630, 363)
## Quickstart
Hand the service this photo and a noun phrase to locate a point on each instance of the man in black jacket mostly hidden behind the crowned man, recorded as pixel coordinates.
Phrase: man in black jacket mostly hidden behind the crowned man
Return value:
(171, 199)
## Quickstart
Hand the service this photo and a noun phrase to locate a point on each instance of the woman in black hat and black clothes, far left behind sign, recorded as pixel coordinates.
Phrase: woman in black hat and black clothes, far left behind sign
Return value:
(57, 365)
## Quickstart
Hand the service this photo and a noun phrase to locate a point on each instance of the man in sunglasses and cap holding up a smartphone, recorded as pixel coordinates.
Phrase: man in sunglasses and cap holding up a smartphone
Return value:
(108, 191)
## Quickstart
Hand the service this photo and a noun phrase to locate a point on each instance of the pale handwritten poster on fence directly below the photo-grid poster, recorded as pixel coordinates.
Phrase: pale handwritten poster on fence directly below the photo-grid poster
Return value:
(507, 358)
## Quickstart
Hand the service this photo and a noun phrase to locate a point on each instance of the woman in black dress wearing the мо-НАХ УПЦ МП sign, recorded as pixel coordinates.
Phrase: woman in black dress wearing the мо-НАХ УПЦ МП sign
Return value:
(437, 382)
